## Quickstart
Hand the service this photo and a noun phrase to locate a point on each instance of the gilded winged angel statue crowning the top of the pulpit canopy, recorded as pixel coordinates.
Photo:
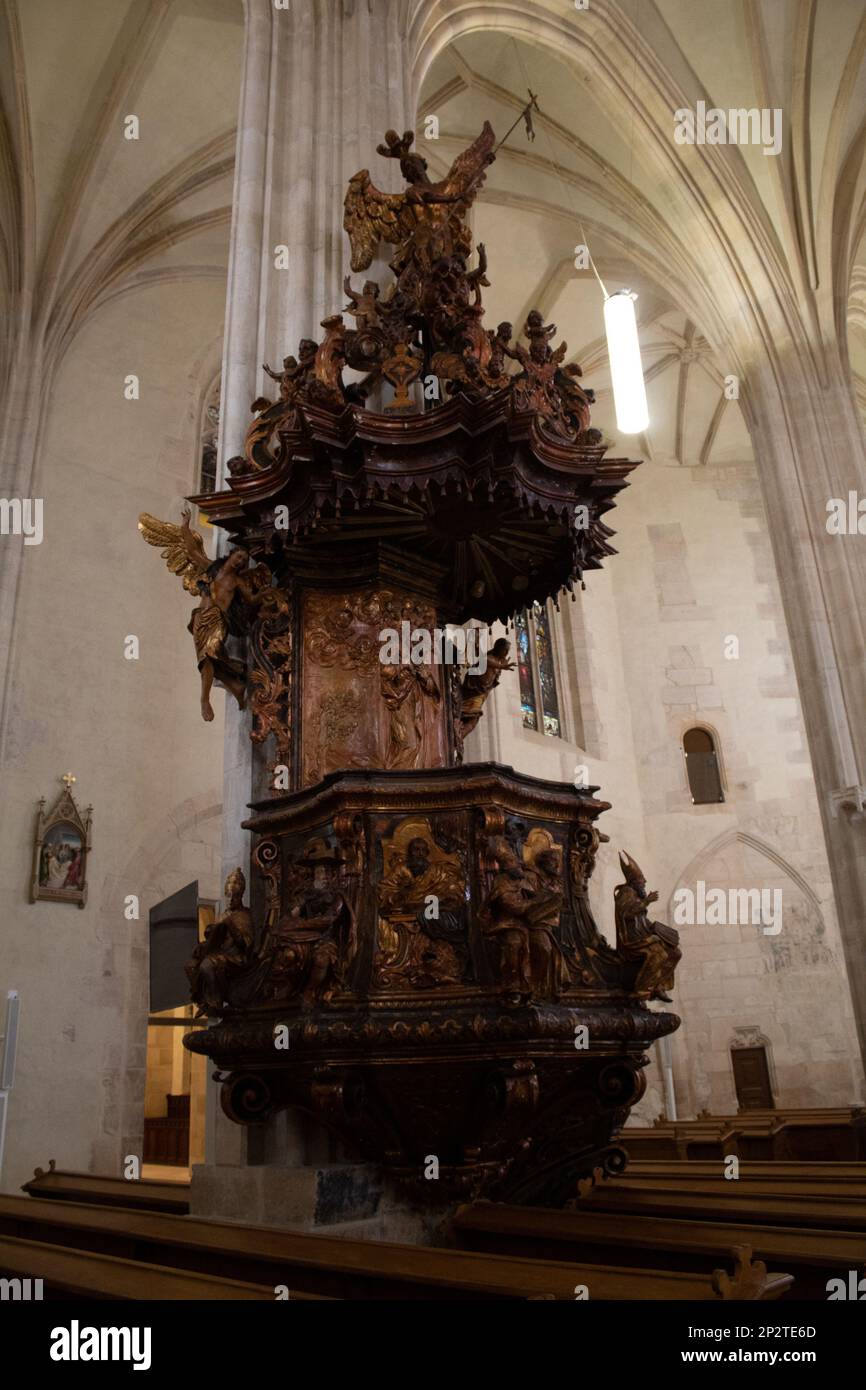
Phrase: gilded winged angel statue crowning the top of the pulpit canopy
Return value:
(426, 223)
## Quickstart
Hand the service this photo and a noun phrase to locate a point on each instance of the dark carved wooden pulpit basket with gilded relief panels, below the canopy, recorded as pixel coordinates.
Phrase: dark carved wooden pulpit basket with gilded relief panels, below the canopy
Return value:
(425, 1025)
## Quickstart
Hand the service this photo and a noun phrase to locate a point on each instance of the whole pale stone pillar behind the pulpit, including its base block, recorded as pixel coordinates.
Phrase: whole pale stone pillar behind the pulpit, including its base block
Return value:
(323, 81)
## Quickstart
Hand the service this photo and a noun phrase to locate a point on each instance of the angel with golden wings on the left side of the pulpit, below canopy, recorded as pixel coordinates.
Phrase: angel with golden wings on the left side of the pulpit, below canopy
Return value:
(224, 586)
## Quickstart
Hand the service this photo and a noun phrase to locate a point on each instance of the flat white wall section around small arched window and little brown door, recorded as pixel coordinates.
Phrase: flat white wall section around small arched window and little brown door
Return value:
(793, 986)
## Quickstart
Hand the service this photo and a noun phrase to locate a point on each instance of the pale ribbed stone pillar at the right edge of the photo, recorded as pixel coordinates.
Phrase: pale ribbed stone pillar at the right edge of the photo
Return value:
(810, 445)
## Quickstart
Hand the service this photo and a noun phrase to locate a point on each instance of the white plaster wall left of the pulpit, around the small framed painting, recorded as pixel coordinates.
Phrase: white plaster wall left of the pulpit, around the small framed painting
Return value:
(130, 730)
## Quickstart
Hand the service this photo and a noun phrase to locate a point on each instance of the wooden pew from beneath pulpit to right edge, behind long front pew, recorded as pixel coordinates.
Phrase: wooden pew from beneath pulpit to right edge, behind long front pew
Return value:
(814, 1256)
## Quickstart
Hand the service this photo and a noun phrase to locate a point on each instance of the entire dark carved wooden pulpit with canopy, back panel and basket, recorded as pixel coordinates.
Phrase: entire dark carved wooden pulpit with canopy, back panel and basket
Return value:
(427, 931)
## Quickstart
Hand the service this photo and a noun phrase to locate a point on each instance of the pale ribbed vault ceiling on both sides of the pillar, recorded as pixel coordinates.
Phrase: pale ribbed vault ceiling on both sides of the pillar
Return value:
(87, 216)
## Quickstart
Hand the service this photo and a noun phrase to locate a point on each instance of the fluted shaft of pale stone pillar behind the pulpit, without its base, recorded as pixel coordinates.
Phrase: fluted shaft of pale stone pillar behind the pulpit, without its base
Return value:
(323, 81)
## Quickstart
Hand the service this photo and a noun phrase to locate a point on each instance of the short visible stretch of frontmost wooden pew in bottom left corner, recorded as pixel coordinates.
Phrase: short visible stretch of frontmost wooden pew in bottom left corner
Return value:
(79, 1274)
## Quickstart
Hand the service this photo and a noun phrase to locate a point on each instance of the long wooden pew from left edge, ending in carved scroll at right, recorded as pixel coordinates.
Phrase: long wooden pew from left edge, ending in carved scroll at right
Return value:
(363, 1270)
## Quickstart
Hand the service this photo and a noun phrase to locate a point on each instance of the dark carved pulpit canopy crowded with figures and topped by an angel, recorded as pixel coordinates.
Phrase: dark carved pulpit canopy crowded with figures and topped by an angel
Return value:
(482, 482)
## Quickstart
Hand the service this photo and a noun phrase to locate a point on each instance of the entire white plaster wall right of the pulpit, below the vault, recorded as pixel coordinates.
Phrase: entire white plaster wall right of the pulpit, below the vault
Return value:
(694, 568)
